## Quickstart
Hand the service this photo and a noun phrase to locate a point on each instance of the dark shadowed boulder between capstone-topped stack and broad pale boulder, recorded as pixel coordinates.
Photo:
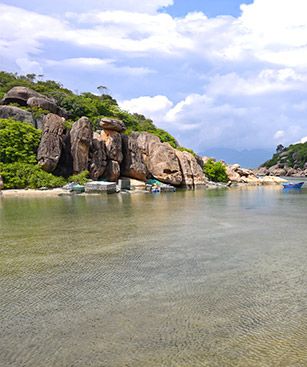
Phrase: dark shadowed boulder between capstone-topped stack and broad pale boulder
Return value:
(133, 164)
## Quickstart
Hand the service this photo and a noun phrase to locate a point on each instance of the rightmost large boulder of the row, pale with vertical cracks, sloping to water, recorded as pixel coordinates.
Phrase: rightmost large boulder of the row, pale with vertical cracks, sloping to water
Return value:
(192, 173)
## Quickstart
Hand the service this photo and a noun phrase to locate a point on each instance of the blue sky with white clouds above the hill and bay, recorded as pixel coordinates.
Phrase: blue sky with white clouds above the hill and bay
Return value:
(216, 74)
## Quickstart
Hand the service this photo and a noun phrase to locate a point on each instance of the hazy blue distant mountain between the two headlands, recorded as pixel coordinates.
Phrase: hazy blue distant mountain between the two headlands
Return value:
(246, 158)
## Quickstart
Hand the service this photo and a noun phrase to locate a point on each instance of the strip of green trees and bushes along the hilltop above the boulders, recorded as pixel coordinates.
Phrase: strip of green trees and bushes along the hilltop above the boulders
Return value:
(85, 104)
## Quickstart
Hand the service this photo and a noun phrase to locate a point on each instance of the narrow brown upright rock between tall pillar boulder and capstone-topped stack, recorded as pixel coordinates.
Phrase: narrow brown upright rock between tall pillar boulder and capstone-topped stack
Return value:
(98, 158)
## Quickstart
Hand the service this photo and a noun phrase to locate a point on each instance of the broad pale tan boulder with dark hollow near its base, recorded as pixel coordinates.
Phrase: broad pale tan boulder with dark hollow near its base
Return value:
(163, 163)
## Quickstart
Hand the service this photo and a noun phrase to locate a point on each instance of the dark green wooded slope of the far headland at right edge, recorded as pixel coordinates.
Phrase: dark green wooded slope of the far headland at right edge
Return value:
(293, 156)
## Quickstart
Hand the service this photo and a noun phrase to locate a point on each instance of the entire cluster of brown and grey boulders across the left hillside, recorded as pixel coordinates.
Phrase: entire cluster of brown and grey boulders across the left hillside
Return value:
(106, 153)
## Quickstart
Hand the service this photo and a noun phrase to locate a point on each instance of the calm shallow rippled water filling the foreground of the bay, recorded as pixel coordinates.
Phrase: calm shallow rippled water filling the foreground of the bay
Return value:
(205, 278)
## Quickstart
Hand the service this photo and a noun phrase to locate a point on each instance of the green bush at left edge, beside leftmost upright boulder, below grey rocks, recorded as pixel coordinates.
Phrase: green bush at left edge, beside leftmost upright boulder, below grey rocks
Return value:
(18, 142)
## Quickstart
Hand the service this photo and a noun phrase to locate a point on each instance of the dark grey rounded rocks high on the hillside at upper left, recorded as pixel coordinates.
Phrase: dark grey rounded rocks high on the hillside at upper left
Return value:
(27, 97)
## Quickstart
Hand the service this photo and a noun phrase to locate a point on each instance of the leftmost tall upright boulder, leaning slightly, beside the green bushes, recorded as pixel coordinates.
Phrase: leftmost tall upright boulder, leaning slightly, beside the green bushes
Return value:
(50, 148)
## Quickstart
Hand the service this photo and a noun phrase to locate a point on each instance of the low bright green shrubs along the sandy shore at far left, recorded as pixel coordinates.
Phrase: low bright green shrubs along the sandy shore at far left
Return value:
(23, 175)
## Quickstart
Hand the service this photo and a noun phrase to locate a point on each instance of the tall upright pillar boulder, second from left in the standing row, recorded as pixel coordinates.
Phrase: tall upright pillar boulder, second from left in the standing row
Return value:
(81, 140)
